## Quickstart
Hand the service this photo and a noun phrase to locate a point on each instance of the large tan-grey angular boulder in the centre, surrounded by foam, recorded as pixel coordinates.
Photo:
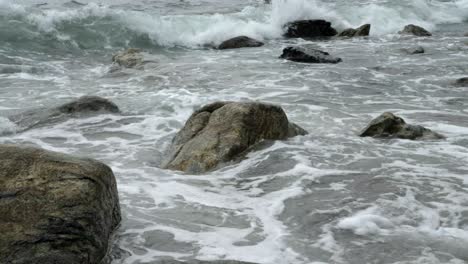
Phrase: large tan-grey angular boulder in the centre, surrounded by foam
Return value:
(223, 131)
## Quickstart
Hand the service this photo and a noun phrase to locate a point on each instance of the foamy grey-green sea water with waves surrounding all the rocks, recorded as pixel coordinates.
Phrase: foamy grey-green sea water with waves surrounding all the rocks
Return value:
(328, 197)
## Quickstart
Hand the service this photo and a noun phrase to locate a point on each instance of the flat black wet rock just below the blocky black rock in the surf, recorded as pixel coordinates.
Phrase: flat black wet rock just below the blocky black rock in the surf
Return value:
(299, 54)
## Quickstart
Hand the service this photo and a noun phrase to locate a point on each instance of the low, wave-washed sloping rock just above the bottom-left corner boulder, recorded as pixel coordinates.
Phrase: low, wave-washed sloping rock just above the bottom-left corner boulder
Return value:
(84, 106)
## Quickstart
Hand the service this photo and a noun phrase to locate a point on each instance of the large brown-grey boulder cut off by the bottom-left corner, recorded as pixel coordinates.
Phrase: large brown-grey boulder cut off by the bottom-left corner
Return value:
(55, 208)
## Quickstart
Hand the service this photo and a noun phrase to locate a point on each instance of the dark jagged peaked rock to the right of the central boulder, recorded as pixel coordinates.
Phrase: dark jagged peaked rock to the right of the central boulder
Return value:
(389, 125)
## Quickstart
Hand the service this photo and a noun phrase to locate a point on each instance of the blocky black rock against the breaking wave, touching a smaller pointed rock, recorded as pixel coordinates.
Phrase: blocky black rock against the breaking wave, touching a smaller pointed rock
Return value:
(309, 29)
